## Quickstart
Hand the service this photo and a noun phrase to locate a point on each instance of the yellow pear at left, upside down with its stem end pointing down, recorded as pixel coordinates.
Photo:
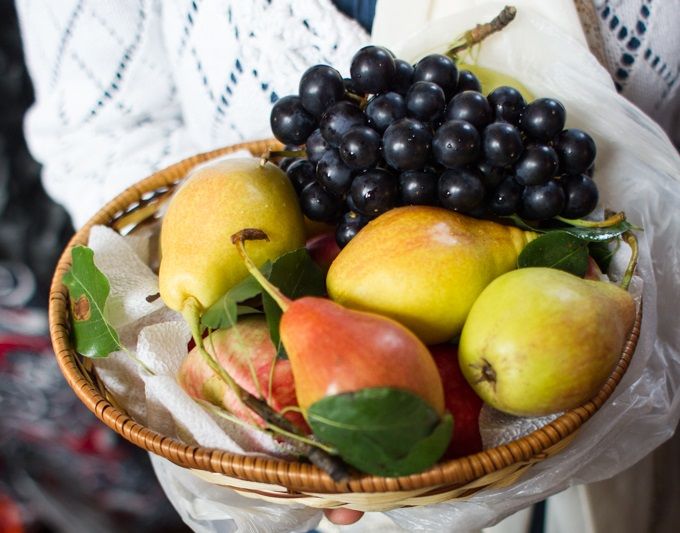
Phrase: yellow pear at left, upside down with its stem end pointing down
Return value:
(198, 261)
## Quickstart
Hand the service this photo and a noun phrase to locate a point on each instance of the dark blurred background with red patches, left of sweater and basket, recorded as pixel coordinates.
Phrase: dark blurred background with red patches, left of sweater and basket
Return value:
(61, 470)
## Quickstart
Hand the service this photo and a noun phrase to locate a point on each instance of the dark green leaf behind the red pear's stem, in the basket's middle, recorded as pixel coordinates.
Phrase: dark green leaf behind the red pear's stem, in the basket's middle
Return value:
(296, 275)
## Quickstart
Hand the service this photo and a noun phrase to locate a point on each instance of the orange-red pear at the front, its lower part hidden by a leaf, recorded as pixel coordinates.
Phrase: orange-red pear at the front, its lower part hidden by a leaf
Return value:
(334, 350)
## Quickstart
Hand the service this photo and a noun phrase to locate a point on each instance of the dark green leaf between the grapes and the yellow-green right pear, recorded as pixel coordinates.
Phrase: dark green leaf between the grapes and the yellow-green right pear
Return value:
(557, 249)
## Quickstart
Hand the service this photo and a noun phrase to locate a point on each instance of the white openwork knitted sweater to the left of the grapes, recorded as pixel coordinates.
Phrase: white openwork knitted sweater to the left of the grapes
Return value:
(126, 87)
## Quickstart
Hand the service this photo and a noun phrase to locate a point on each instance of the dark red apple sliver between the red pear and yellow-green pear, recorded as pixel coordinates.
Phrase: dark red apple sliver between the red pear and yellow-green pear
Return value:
(460, 400)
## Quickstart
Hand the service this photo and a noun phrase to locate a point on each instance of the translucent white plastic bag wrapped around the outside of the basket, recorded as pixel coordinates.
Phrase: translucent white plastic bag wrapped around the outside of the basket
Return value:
(638, 171)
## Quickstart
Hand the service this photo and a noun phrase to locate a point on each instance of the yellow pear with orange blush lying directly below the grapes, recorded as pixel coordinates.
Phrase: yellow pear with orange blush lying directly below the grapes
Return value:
(424, 267)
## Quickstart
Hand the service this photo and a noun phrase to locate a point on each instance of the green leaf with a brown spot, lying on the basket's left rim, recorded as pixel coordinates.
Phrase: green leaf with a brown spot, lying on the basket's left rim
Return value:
(88, 290)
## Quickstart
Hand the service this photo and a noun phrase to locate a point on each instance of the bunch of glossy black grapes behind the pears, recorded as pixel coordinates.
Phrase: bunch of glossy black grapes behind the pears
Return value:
(398, 134)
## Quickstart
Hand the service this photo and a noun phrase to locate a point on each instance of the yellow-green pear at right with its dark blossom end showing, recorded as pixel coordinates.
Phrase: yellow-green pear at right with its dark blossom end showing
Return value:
(540, 340)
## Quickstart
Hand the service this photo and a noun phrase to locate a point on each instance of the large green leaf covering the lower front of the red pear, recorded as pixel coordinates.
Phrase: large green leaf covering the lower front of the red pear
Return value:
(382, 431)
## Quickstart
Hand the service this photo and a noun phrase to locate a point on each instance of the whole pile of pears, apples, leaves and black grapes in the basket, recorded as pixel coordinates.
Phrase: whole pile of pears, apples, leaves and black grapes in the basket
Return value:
(456, 268)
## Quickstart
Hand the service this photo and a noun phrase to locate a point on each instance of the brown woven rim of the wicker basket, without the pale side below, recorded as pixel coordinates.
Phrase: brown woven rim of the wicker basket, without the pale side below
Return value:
(295, 476)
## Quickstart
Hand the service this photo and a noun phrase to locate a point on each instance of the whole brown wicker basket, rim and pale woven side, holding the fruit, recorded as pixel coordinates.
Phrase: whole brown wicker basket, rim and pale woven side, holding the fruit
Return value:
(296, 482)
